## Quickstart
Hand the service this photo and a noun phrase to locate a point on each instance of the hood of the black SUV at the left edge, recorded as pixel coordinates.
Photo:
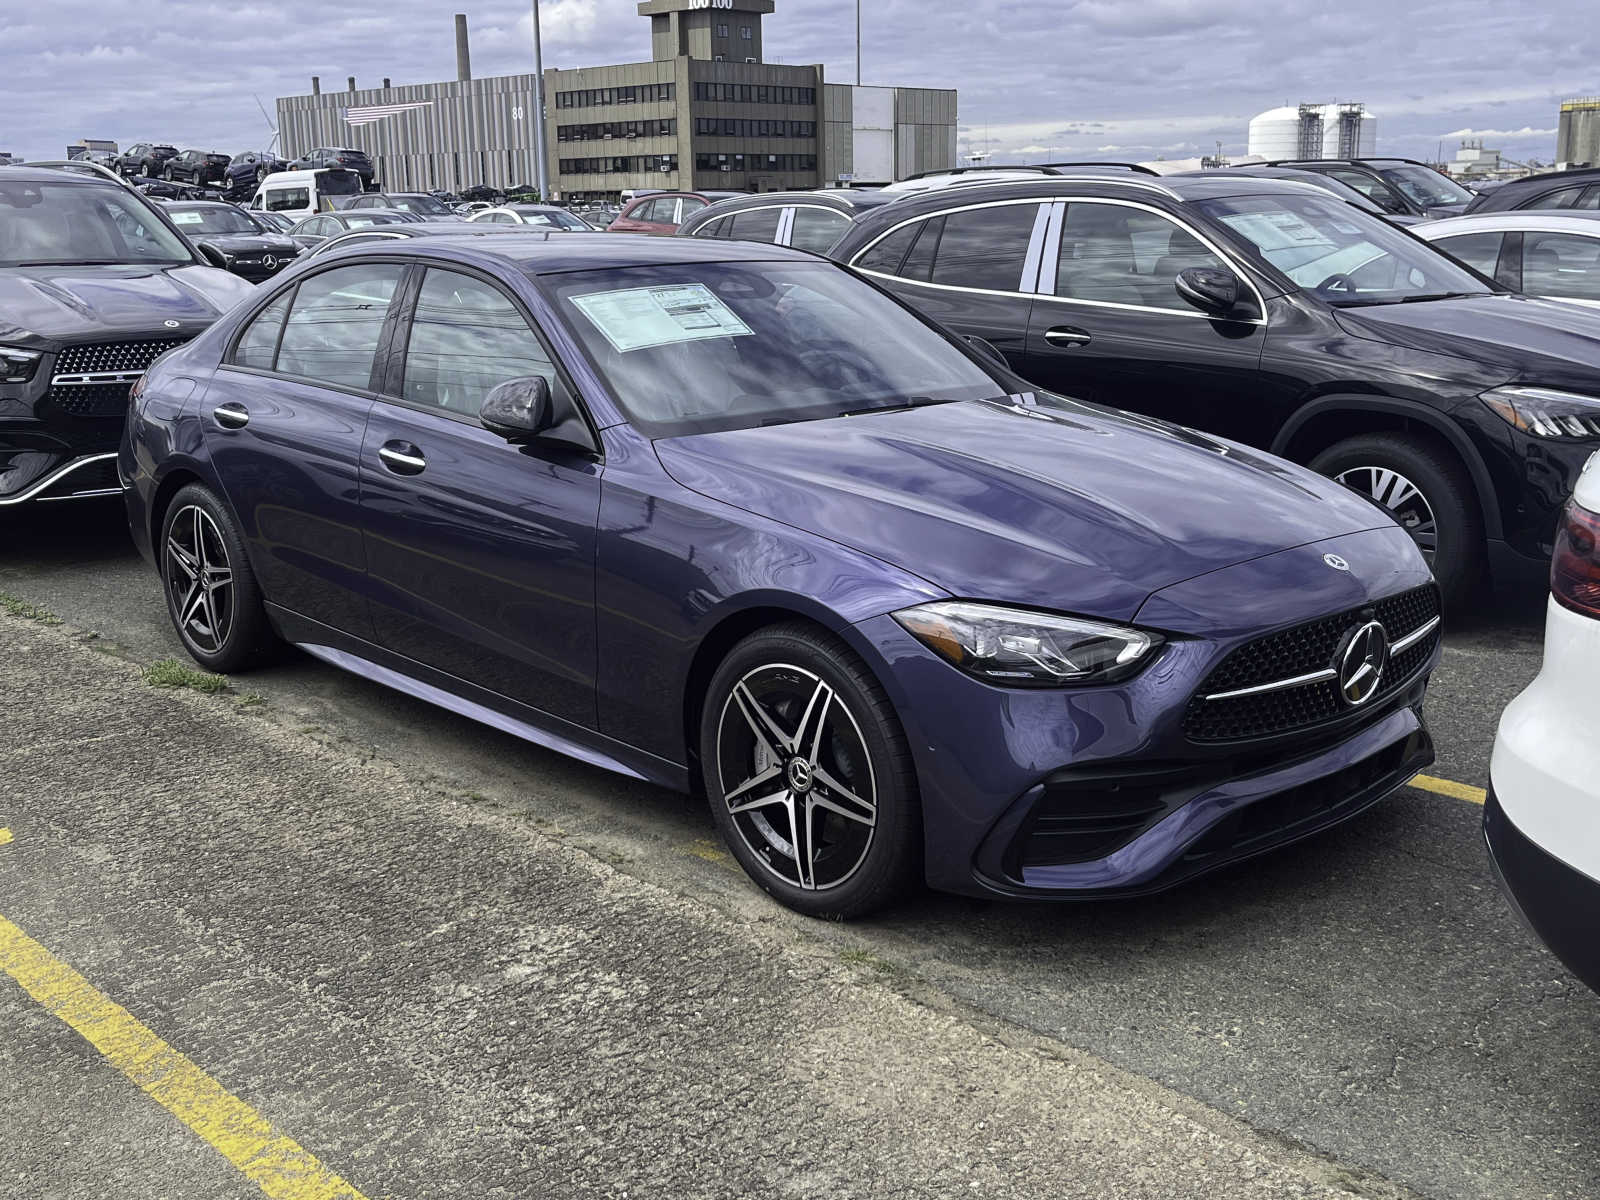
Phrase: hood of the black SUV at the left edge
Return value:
(68, 303)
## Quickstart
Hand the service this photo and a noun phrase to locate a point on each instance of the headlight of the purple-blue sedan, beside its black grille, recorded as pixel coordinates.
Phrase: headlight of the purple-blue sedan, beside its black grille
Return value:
(1033, 650)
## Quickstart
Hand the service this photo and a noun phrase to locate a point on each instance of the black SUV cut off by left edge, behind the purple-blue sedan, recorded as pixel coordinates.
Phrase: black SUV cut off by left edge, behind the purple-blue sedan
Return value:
(95, 282)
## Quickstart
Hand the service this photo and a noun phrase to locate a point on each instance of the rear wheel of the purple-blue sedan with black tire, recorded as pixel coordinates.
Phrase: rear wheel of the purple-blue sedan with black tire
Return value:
(225, 626)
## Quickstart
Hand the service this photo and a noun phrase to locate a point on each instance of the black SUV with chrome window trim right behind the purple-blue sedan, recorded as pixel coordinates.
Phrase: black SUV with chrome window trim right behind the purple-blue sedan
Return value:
(1278, 316)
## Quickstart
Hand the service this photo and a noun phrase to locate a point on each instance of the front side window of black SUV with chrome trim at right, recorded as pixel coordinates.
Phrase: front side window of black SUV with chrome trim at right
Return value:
(1119, 255)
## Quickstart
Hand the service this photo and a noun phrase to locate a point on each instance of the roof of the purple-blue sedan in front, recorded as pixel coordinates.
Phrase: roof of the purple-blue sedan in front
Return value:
(553, 254)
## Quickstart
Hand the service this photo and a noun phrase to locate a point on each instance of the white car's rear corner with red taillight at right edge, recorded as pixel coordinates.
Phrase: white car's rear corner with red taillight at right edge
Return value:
(1543, 812)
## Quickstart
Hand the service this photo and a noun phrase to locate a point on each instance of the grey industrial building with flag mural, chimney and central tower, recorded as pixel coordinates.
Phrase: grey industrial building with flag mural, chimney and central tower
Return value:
(705, 113)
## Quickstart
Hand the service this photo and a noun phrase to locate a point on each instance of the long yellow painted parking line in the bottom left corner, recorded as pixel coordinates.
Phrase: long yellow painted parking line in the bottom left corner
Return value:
(274, 1162)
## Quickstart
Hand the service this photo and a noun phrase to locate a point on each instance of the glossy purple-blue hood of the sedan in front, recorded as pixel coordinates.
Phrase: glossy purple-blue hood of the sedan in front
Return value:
(1028, 500)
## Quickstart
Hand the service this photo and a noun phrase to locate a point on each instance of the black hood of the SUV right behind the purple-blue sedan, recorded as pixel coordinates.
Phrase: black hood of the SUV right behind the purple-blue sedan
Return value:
(1534, 342)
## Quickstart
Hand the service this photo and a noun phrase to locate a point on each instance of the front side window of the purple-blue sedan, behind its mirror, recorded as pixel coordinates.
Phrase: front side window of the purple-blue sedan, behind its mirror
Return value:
(466, 338)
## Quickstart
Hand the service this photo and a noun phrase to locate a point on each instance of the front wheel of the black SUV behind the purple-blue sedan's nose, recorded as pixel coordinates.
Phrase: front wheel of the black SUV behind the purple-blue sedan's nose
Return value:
(1457, 550)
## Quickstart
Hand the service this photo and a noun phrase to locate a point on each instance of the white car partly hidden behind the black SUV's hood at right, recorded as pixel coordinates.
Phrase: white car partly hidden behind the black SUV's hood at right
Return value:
(1540, 254)
